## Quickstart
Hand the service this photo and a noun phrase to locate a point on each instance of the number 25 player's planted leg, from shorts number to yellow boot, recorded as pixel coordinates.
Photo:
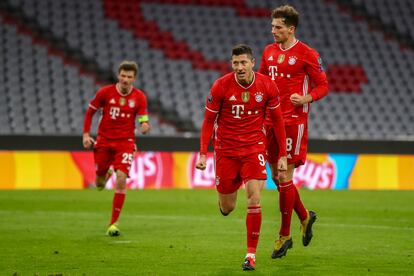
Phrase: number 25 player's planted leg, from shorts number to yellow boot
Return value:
(122, 163)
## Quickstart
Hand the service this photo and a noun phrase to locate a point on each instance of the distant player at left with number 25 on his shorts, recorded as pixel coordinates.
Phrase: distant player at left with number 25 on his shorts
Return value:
(120, 105)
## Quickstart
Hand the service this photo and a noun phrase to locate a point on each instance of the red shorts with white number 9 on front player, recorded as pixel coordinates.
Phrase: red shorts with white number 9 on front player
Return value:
(233, 171)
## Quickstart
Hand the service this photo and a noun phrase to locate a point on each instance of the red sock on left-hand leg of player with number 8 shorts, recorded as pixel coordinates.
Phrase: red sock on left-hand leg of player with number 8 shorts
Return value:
(287, 195)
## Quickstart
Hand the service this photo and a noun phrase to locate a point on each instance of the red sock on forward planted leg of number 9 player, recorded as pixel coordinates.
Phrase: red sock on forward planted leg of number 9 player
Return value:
(253, 224)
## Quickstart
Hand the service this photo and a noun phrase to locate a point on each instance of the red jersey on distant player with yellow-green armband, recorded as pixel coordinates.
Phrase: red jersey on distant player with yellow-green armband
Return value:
(119, 111)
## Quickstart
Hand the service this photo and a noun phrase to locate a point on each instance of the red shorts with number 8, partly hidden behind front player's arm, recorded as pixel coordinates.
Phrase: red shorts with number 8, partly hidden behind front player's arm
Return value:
(296, 144)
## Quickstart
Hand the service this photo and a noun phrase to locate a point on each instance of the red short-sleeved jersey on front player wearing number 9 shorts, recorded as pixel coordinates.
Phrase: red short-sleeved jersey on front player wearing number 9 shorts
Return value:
(241, 112)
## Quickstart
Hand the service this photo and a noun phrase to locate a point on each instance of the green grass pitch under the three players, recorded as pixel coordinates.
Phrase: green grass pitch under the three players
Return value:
(181, 232)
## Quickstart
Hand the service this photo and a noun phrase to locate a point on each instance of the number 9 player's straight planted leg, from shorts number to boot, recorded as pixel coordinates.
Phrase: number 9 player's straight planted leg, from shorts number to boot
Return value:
(253, 173)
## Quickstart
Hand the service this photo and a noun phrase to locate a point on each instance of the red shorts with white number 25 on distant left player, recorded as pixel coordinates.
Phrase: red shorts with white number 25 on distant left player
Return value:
(118, 153)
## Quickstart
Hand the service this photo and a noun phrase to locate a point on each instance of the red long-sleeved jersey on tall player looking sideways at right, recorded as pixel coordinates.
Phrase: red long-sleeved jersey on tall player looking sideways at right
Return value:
(293, 70)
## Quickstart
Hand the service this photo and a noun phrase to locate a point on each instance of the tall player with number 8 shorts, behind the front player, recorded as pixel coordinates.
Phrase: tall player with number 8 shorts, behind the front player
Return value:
(297, 70)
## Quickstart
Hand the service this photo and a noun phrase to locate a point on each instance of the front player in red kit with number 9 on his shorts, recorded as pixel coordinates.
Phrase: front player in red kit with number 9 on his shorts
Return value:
(235, 111)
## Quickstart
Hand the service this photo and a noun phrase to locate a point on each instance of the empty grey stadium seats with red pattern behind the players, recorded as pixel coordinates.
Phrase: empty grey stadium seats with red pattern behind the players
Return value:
(182, 48)
